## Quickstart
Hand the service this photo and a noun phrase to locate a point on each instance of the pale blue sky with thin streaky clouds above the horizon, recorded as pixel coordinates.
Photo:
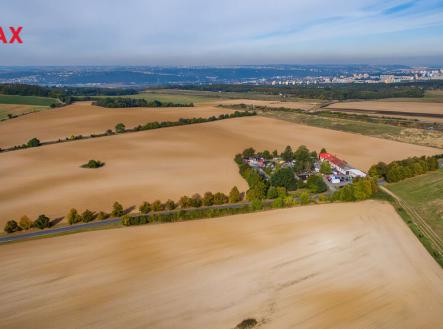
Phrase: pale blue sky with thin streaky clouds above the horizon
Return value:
(223, 32)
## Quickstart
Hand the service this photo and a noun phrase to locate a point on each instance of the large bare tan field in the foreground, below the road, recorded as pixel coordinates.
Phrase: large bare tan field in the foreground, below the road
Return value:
(354, 265)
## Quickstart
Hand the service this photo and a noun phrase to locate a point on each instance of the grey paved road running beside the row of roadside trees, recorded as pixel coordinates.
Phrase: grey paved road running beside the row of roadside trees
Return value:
(79, 227)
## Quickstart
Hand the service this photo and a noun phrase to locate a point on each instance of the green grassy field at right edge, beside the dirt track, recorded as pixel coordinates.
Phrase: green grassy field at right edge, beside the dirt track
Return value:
(424, 193)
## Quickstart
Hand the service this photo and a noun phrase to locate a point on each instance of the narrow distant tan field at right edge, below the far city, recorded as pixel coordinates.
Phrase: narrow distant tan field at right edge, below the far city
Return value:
(405, 107)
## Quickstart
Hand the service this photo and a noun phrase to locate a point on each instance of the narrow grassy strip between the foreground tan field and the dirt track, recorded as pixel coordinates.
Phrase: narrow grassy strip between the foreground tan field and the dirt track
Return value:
(380, 195)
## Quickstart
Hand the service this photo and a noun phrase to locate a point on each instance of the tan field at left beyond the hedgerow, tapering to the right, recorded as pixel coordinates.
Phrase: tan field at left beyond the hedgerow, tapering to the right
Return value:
(84, 118)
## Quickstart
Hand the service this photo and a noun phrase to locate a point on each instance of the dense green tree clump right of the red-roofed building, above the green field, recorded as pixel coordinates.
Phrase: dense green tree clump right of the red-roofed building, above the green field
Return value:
(396, 171)
